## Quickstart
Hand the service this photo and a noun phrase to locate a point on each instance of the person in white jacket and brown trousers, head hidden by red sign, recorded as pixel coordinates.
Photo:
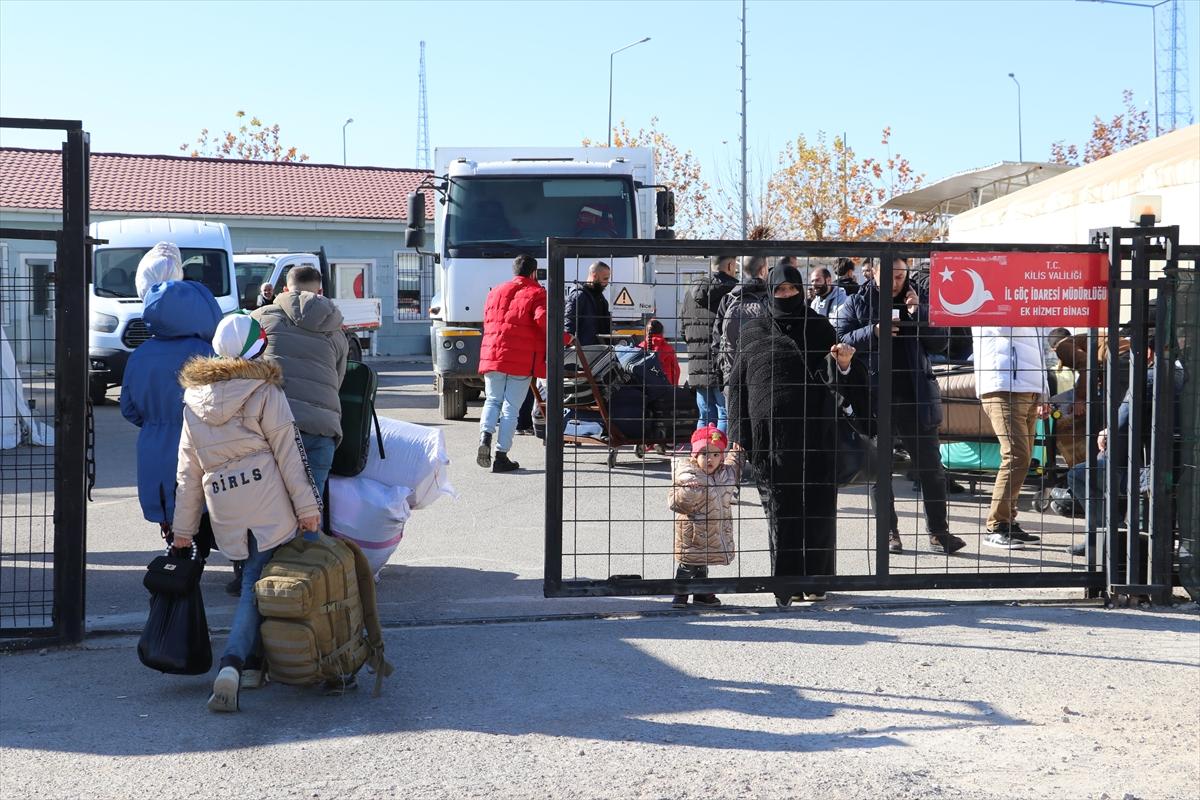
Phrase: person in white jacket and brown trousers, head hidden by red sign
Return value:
(1011, 380)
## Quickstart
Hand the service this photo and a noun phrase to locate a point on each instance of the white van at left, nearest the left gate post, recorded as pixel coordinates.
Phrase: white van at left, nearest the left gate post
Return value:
(116, 327)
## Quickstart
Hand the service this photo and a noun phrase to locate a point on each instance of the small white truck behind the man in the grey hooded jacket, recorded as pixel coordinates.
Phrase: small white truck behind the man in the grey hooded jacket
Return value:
(362, 317)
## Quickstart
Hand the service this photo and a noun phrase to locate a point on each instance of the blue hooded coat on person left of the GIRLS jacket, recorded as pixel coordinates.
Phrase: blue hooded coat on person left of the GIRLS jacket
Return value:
(183, 317)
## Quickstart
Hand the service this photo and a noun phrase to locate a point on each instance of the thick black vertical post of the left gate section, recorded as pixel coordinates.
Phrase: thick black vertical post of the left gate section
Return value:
(70, 393)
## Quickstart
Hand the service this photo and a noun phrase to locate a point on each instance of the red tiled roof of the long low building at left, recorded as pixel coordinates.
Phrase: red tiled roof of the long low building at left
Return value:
(183, 187)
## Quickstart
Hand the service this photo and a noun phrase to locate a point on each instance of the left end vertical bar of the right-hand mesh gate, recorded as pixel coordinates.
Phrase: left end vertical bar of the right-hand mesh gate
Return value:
(553, 572)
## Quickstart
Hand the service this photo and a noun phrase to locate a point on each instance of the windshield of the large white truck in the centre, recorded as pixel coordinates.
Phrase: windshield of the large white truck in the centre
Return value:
(519, 214)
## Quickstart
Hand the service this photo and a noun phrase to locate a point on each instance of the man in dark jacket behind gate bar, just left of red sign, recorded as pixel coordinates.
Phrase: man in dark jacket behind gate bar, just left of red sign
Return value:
(916, 400)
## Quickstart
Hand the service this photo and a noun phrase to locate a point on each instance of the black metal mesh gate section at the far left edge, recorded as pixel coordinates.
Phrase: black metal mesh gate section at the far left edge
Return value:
(45, 416)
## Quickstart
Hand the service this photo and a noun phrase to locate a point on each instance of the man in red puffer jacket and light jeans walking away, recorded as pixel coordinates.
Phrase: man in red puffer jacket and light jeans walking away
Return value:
(513, 352)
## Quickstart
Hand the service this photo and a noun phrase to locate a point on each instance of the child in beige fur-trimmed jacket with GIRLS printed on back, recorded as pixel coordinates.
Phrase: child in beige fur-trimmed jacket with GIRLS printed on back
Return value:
(241, 455)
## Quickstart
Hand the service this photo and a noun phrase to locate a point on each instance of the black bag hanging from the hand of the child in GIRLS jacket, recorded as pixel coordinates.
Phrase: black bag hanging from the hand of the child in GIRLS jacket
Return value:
(176, 639)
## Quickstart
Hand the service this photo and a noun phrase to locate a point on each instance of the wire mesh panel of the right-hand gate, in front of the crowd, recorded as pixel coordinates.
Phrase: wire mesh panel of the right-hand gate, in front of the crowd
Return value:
(932, 458)
